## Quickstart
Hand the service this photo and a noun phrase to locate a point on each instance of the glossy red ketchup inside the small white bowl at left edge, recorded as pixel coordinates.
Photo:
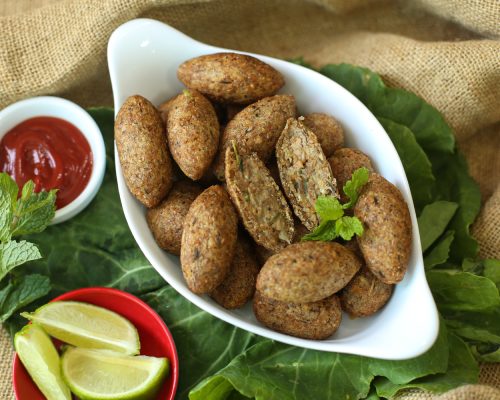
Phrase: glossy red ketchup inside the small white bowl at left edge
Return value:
(50, 151)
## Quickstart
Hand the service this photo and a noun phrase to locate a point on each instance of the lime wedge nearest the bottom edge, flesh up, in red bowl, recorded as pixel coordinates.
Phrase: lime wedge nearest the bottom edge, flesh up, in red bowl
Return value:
(106, 375)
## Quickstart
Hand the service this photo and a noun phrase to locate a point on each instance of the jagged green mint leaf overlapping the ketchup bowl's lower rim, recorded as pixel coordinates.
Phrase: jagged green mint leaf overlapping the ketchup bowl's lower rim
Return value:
(33, 211)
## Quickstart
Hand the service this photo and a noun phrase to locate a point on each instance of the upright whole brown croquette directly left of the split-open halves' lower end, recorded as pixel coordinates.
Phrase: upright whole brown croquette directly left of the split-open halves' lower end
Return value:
(208, 240)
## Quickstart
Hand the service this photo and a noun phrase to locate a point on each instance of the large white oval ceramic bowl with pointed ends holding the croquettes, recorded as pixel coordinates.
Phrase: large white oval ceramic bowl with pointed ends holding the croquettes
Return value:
(143, 57)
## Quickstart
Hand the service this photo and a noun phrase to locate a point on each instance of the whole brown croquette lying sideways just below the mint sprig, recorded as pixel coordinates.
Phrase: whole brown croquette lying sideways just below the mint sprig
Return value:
(307, 271)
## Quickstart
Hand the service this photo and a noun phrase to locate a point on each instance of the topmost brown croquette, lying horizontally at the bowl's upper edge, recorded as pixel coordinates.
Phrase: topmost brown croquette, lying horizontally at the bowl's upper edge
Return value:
(230, 77)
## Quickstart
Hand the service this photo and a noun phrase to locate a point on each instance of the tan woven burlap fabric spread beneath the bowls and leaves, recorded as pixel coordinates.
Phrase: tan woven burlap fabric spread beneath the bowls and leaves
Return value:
(447, 51)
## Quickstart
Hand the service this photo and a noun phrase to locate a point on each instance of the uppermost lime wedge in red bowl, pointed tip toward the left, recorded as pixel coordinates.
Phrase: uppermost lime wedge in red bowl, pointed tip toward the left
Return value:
(86, 325)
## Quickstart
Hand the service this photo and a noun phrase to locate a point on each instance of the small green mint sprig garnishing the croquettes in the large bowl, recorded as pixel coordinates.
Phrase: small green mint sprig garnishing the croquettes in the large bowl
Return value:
(333, 222)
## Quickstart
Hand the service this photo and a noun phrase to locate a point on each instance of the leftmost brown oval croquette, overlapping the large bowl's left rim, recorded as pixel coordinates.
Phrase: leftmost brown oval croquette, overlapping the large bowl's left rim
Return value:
(143, 152)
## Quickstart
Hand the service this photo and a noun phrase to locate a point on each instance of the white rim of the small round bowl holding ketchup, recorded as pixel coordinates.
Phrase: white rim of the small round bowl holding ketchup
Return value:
(48, 106)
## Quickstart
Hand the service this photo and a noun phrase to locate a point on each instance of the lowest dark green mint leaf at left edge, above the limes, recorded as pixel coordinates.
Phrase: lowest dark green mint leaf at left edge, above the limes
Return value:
(19, 293)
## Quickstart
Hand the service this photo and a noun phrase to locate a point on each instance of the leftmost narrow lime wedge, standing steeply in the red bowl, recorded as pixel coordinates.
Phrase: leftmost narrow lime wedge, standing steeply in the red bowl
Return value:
(41, 360)
